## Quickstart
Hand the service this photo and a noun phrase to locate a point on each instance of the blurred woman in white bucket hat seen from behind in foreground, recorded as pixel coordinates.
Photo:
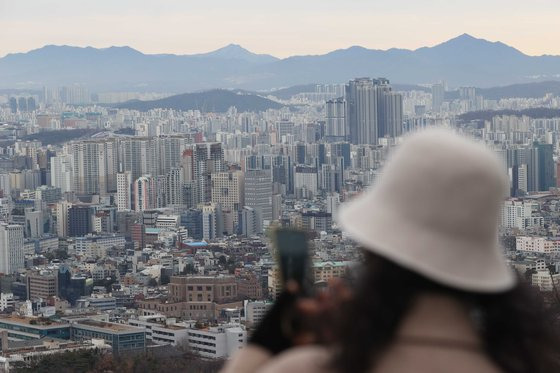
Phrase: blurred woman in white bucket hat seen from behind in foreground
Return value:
(435, 294)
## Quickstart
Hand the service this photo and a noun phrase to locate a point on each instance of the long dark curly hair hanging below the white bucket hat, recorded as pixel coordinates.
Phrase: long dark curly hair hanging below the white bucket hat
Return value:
(517, 330)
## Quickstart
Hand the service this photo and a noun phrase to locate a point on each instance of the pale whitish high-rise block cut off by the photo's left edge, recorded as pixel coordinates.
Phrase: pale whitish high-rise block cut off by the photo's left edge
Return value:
(11, 248)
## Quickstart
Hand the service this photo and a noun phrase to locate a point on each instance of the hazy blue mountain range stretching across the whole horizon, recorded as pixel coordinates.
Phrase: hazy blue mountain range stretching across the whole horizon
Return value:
(464, 60)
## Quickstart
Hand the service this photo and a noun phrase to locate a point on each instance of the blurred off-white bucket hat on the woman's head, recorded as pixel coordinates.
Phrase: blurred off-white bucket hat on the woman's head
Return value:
(434, 210)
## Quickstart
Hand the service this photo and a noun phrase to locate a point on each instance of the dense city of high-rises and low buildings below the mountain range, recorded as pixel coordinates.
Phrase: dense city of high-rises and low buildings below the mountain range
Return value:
(138, 221)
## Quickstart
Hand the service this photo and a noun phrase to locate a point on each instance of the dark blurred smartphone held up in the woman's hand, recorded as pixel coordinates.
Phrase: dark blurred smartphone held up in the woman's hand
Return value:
(293, 256)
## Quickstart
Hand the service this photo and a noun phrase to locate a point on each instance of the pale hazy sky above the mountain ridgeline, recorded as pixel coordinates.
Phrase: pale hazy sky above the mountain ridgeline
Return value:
(278, 27)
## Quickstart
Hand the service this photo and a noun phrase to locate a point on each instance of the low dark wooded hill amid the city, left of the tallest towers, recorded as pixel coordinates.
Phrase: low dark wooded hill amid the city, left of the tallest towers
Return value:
(217, 101)
